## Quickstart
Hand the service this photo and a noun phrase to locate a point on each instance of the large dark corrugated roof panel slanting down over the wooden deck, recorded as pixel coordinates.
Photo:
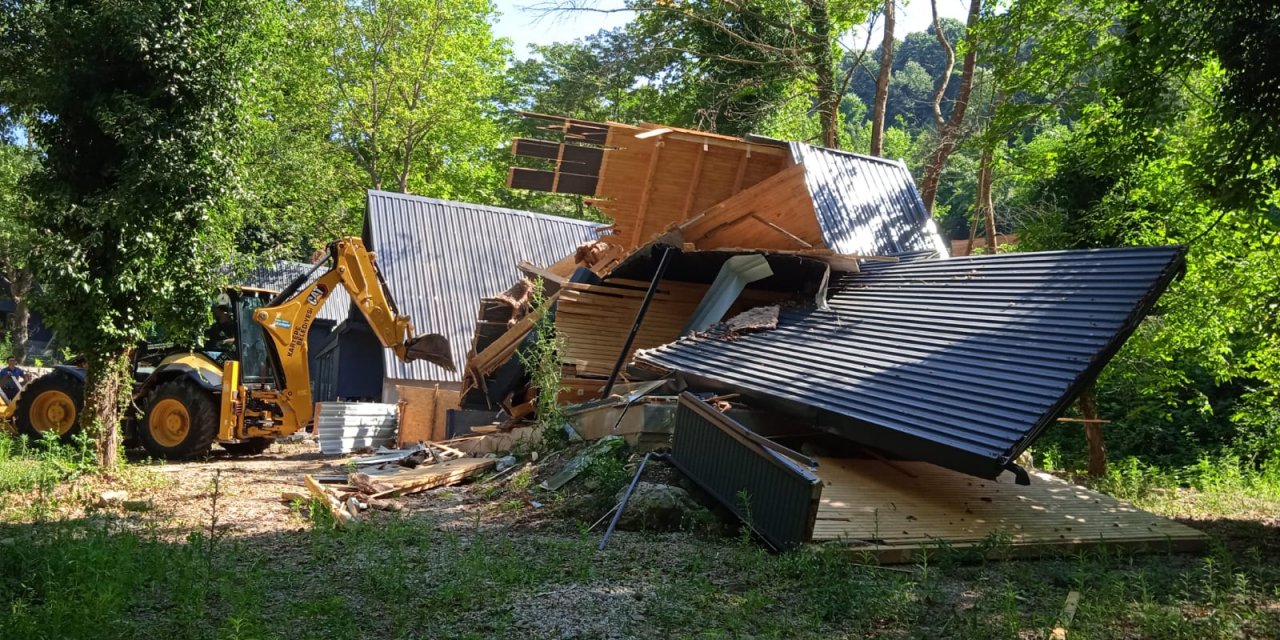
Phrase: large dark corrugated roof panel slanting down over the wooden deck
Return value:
(961, 363)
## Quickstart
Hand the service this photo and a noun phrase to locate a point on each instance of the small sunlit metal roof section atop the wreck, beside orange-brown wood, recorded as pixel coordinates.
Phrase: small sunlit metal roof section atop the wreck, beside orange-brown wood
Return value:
(866, 205)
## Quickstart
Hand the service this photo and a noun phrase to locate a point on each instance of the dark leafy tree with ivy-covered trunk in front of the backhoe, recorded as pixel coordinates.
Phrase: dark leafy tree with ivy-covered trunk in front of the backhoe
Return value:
(135, 106)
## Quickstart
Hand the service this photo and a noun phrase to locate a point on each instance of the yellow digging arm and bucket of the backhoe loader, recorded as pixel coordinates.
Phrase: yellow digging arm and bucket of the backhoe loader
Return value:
(289, 318)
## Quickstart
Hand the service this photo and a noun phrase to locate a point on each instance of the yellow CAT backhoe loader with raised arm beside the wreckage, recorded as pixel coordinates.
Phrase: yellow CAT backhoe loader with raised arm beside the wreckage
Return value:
(250, 383)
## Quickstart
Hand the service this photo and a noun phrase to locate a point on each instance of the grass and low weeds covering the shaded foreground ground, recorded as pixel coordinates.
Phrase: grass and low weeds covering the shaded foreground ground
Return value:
(107, 575)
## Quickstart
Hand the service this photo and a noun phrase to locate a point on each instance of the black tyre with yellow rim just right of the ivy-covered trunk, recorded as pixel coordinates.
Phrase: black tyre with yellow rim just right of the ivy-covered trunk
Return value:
(181, 422)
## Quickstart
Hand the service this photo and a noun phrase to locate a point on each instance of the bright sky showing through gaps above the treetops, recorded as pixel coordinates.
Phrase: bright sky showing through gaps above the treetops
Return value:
(520, 22)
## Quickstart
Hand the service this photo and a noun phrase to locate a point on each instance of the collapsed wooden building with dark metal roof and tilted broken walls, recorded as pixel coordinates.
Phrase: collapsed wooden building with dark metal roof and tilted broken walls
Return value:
(813, 289)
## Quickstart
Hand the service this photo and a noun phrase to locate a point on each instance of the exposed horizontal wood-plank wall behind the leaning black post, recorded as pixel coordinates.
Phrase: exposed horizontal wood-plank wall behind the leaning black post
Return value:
(595, 321)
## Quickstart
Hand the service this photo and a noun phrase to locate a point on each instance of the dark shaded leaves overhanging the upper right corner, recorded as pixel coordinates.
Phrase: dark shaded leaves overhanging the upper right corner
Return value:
(1169, 42)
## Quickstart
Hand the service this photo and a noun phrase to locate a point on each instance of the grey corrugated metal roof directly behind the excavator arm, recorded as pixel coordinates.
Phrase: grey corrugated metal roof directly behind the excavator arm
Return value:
(441, 258)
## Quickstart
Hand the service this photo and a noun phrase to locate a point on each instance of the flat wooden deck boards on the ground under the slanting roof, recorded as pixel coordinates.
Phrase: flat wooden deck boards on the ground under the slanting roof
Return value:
(881, 510)
